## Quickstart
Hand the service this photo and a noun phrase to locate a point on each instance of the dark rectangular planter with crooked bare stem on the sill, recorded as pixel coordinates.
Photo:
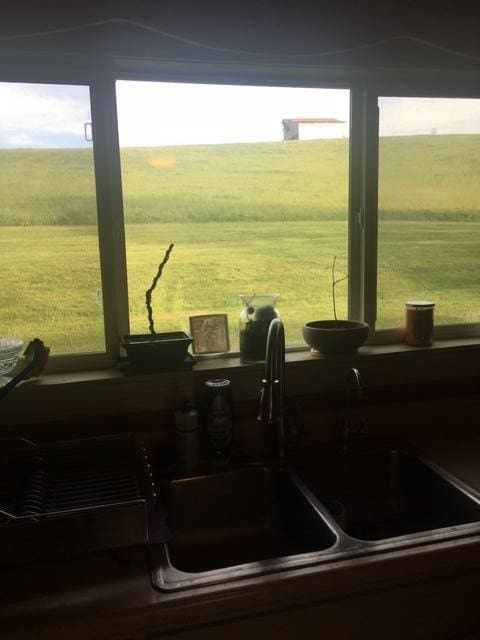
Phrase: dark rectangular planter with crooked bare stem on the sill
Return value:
(149, 351)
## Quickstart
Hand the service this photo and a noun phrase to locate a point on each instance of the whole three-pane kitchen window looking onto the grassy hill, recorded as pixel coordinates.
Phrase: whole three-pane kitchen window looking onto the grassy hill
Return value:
(258, 186)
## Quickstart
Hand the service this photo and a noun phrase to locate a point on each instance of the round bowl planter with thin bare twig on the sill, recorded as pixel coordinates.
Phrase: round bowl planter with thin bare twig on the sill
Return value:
(335, 336)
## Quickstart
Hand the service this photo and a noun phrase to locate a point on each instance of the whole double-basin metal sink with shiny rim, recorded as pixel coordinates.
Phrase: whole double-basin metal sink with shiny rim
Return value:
(262, 519)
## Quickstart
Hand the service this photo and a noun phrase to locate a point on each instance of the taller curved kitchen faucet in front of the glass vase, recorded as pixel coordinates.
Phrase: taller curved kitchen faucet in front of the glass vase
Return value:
(272, 399)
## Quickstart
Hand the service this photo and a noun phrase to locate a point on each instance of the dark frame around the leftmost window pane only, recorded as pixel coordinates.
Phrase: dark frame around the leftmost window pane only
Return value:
(110, 227)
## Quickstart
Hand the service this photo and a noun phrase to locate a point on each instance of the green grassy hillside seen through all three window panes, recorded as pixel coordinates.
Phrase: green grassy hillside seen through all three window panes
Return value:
(266, 217)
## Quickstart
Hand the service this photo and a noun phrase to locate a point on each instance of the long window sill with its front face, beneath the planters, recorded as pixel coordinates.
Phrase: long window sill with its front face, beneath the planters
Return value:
(111, 392)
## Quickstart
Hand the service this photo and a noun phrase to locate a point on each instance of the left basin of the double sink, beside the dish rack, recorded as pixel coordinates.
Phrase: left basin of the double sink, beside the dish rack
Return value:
(250, 515)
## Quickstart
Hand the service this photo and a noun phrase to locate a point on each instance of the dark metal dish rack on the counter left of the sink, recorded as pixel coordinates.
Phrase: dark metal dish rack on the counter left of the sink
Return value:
(69, 497)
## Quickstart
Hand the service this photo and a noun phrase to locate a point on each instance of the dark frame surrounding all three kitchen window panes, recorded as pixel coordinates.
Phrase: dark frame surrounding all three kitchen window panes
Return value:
(365, 86)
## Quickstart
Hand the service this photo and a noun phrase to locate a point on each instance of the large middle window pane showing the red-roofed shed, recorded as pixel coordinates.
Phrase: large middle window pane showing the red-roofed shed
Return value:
(250, 183)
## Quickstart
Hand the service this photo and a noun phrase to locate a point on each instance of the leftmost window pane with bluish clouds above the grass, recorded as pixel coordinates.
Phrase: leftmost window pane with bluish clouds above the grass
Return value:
(48, 237)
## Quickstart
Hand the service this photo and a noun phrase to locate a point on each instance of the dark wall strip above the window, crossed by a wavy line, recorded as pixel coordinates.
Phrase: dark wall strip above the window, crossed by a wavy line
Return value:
(264, 27)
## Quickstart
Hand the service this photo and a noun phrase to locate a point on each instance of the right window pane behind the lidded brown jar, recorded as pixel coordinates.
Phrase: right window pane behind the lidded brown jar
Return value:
(429, 208)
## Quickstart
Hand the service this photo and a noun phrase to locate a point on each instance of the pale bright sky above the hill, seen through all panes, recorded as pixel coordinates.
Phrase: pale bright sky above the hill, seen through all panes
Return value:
(157, 114)
